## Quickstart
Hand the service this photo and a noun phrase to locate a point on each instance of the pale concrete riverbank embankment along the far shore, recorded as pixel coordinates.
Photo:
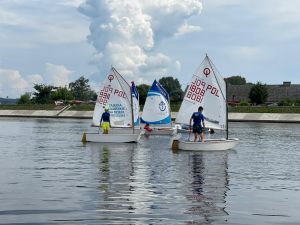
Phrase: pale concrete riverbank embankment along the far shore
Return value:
(232, 117)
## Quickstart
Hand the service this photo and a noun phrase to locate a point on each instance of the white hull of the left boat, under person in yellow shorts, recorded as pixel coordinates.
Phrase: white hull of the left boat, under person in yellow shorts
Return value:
(110, 138)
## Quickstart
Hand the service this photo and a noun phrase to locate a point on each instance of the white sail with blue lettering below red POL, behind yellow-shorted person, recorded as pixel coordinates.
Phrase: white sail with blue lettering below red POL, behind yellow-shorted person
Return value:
(116, 94)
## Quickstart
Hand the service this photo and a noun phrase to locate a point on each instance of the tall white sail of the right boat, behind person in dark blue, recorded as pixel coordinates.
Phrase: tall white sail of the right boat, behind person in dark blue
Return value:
(207, 89)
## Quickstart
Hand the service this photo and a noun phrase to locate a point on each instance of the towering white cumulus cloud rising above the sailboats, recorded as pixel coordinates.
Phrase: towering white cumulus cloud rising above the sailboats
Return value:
(125, 33)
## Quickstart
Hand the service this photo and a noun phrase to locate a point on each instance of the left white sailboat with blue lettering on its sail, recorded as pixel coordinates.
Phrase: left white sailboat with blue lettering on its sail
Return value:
(116, 94)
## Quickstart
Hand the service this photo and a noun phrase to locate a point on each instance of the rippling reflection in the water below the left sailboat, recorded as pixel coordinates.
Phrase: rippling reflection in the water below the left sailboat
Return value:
(114, 176)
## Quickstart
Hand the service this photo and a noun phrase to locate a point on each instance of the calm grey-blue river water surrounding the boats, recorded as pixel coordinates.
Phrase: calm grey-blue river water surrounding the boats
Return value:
(47, 176)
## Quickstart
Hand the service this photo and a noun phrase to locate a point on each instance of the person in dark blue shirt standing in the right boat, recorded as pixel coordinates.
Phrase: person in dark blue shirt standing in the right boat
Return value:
(198, 124)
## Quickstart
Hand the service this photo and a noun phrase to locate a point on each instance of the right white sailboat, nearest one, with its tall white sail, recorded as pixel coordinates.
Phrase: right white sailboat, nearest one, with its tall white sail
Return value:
(207, 89)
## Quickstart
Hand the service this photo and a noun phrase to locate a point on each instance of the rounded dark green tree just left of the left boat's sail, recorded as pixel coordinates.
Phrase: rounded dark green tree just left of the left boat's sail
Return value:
(81, 89)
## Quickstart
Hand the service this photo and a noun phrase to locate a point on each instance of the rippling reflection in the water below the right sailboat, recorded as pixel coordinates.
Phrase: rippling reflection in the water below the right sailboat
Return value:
(209, 186)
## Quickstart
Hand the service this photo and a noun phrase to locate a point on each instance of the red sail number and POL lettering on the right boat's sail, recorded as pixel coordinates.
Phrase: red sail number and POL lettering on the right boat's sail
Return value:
(198, 88)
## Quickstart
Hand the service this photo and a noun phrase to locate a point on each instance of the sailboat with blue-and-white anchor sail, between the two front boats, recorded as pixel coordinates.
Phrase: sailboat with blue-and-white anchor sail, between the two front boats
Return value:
(156, 111)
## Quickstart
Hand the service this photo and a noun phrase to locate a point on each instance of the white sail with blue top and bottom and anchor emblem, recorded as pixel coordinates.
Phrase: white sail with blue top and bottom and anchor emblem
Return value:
(157, 109)
